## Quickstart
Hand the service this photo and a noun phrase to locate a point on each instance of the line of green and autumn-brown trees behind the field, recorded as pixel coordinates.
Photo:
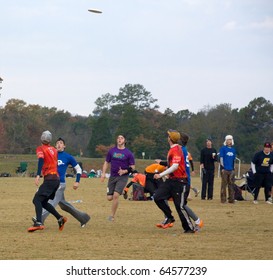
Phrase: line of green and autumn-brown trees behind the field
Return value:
(135, 113)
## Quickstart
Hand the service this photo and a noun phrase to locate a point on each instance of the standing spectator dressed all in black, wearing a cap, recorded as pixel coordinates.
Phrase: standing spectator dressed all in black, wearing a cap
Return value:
(208, 156)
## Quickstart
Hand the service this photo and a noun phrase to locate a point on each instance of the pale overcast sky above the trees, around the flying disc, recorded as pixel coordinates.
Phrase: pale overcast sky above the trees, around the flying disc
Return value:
(189, 54)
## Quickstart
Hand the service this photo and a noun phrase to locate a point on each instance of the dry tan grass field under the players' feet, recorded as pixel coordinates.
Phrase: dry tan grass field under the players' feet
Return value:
(242, 231)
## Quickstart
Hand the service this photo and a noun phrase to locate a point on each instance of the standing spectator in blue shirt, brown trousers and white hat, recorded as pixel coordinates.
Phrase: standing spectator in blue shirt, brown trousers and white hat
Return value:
(227, 162)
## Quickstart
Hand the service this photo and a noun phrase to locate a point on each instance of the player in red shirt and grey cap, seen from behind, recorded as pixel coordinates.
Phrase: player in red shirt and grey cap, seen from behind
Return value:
(47, 165)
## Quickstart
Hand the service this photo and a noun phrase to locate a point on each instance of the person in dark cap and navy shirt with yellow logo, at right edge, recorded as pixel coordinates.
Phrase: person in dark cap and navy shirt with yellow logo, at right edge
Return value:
(262, 167)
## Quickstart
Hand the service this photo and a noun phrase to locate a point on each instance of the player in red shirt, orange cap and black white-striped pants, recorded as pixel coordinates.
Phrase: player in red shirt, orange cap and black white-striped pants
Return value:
(174, 186)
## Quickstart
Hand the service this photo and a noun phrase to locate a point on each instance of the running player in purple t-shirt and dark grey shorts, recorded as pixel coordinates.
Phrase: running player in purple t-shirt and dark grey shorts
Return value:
(122, 164)
